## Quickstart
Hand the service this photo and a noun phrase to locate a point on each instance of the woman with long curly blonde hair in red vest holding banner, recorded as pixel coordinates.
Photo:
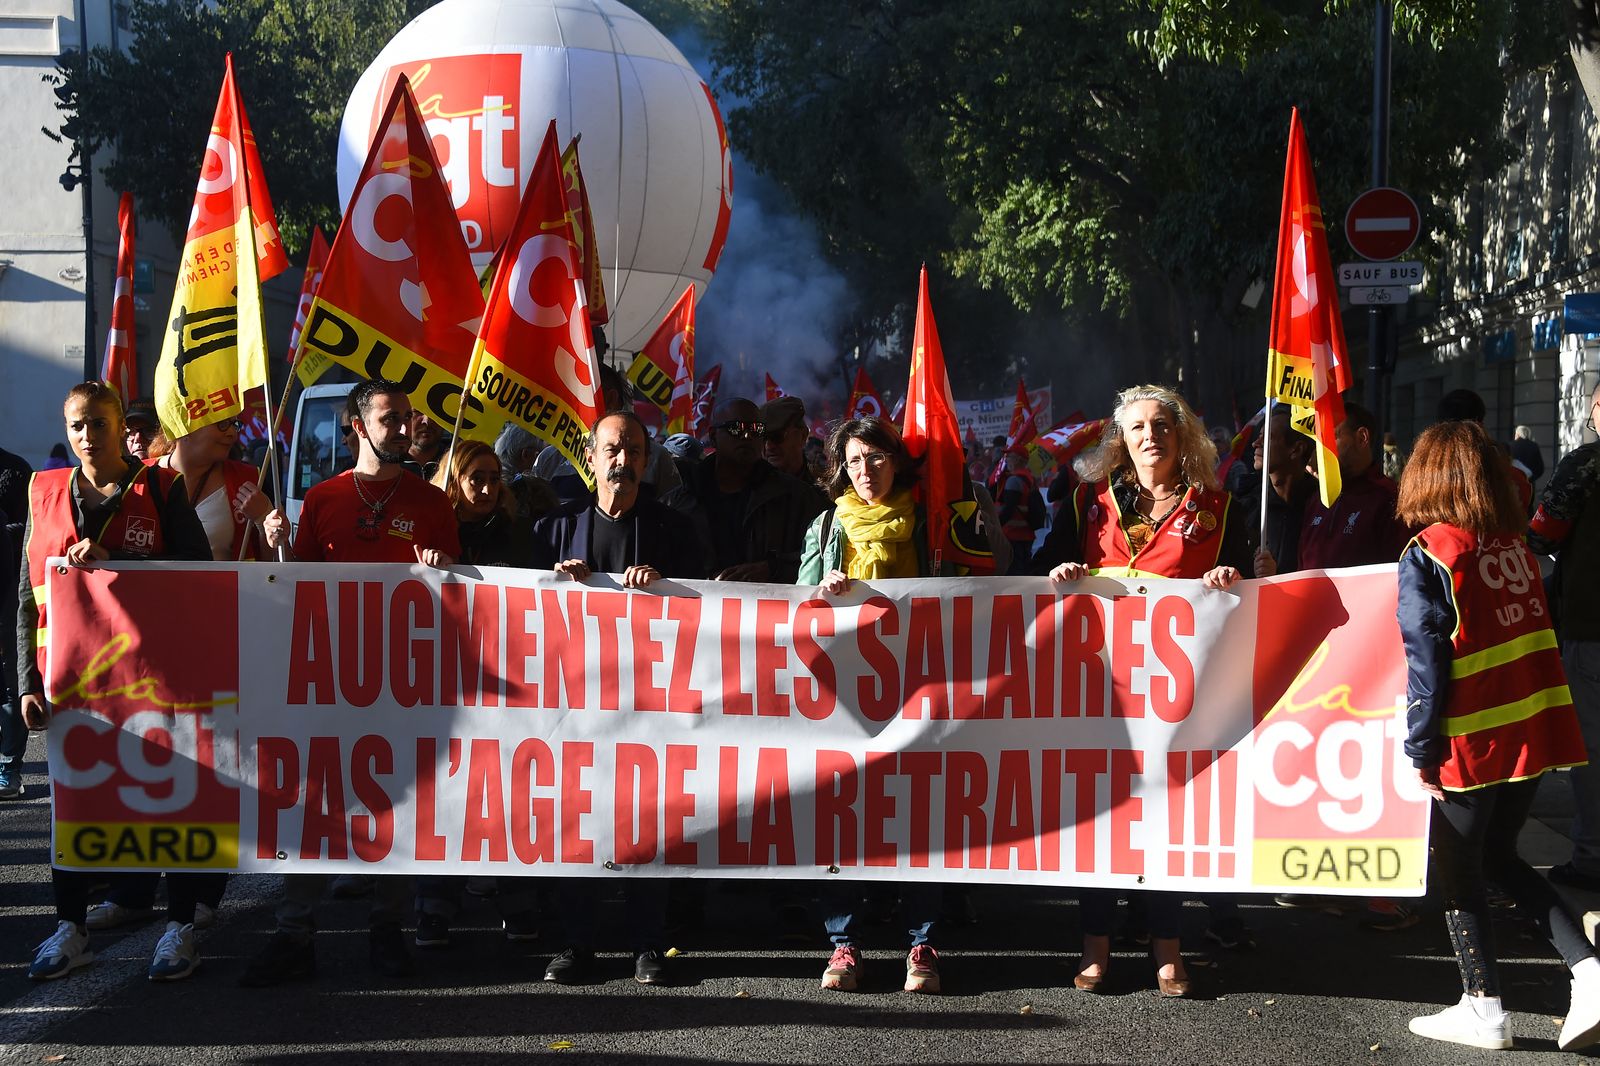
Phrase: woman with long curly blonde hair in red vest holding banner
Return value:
(1150, 505)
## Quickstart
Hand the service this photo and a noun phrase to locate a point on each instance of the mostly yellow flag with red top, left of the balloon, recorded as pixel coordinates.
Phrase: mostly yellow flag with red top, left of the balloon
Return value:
(215, 345)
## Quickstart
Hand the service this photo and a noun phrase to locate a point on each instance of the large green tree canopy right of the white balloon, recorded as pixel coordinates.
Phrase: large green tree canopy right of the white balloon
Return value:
(1100, 156)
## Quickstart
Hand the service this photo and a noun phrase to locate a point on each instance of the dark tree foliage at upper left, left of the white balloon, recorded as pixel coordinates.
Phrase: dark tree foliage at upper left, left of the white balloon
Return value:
(297, 63)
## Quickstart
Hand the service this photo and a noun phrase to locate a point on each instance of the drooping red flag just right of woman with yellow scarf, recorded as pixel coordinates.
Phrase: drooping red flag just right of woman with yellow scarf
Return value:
(956, 540)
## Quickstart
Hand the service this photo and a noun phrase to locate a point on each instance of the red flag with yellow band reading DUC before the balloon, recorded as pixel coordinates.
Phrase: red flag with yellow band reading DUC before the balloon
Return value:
(399, 297)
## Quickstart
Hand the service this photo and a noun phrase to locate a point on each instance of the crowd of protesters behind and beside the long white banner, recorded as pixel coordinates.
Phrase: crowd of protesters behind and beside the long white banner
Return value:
(1490, 707)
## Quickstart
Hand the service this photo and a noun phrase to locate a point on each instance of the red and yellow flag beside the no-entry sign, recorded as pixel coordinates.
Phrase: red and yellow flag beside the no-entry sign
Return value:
(1308, 364)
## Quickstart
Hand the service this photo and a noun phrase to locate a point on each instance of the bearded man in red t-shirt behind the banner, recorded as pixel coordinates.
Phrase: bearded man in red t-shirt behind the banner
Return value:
(377, 513)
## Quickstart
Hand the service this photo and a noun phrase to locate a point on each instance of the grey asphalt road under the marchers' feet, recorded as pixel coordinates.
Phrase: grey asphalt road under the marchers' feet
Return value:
(1316, 990)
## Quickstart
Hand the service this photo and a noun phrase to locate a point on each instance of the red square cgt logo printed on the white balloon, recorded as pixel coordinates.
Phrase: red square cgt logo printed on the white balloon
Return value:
(471, 106)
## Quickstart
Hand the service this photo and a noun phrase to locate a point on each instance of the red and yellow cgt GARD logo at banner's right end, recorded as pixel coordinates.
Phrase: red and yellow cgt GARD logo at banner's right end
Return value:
(1329, 740)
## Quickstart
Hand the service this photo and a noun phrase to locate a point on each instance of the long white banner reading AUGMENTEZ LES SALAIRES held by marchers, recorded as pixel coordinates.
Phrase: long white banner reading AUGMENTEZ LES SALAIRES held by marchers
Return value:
(1137, 734)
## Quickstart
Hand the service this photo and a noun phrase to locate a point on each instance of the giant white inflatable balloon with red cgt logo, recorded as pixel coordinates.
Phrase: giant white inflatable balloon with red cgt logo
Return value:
(490, 76)
